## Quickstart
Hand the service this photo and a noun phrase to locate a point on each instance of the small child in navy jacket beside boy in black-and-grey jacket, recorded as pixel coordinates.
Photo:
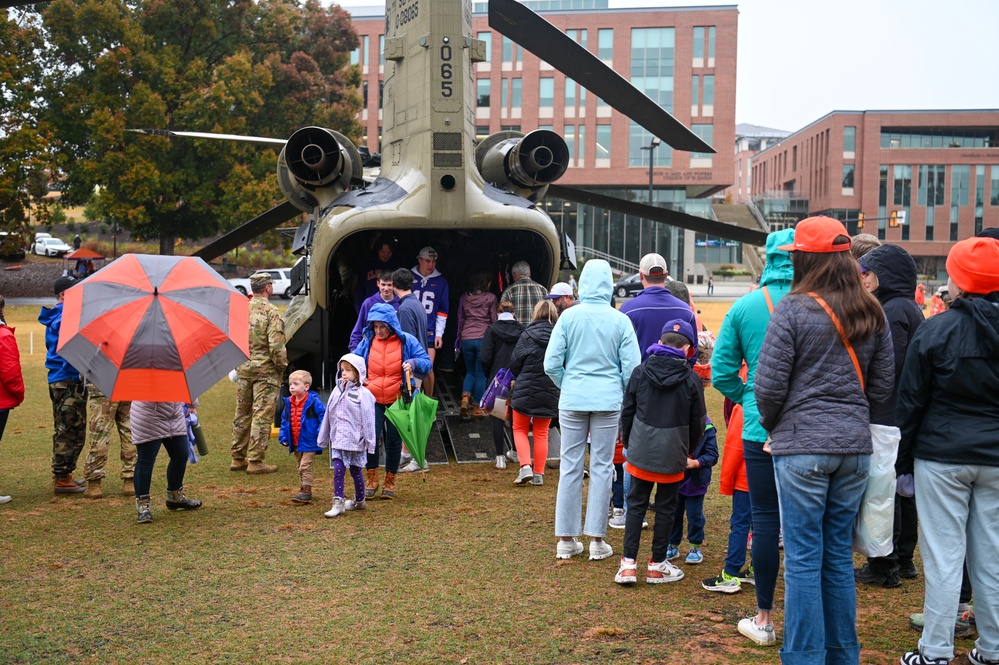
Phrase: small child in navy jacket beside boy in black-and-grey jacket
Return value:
(691, 498)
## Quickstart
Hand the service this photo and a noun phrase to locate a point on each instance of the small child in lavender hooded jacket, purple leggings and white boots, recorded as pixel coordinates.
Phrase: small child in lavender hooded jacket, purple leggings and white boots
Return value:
(348, 429)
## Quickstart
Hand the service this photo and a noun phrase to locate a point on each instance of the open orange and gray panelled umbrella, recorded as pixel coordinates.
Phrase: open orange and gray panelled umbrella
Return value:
(154, 328)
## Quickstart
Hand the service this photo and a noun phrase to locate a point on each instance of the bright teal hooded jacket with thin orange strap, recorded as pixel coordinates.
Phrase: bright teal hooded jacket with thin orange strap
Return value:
(742, 332)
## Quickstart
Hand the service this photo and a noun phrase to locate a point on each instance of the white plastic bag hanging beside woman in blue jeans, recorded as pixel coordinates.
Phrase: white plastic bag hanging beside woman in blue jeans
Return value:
(872, 531)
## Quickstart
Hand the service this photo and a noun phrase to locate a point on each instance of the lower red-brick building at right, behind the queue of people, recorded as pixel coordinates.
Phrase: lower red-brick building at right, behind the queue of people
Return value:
(941, 168)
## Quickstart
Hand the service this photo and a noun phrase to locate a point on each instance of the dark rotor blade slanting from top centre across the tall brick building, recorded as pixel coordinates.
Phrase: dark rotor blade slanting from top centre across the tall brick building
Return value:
(515, 21)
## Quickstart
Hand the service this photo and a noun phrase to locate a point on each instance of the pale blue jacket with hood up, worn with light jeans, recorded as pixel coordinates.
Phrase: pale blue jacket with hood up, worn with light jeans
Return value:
(593, 349)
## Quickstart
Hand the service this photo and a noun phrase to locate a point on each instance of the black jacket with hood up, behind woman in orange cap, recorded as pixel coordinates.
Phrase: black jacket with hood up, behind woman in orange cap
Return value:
(896, 273)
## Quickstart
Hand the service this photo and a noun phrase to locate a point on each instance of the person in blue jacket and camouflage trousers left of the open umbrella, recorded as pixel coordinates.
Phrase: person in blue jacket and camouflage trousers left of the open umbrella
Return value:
(69, 403)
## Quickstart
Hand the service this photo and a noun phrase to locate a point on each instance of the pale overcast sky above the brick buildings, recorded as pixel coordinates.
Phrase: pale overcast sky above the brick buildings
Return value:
(801, 59)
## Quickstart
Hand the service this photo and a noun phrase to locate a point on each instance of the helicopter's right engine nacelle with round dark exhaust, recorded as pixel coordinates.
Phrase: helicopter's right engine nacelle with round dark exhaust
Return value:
(525, 164)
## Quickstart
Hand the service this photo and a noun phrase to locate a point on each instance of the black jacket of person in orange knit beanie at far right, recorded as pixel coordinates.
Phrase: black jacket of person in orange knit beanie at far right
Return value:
(948, 394)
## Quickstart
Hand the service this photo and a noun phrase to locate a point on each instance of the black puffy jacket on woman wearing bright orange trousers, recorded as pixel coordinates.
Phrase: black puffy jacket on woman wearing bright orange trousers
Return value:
(534, 394)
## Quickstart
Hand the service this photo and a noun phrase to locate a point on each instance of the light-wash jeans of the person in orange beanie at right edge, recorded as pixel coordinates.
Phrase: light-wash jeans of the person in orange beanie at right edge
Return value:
(957, 507)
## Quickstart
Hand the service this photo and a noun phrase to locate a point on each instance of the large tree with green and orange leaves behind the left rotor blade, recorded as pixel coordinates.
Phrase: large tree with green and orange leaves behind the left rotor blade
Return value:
(235, 67)
